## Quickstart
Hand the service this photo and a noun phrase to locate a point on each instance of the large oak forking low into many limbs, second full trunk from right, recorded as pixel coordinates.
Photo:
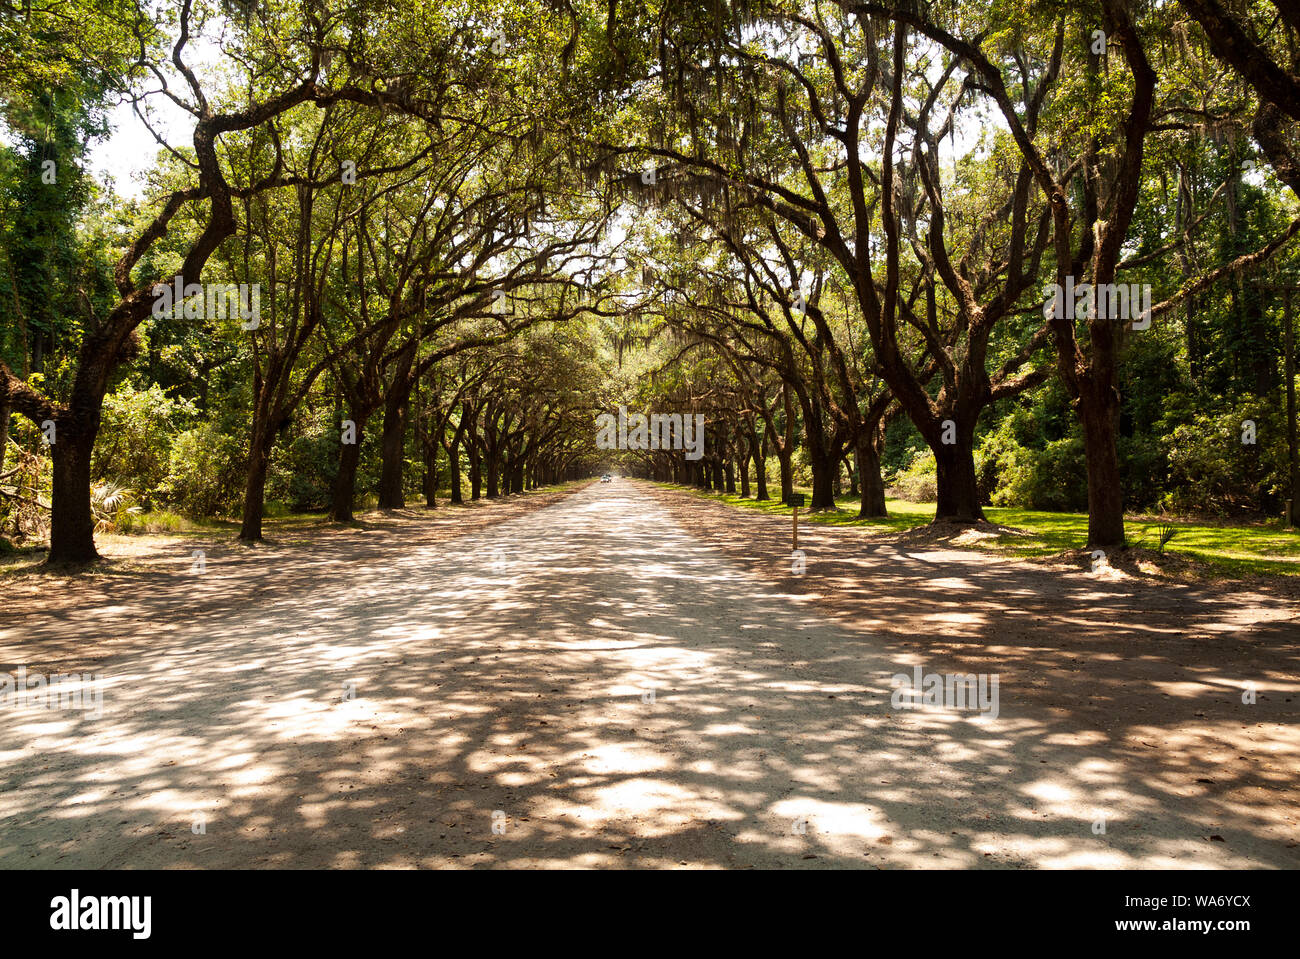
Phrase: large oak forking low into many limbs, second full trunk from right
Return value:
(821, 153)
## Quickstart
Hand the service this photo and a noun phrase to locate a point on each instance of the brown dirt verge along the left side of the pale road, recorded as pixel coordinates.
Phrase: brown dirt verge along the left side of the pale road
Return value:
(157, 584)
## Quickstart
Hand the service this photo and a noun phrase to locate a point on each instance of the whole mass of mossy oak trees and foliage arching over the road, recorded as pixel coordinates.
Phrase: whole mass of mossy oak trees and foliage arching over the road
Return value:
(1003, 254)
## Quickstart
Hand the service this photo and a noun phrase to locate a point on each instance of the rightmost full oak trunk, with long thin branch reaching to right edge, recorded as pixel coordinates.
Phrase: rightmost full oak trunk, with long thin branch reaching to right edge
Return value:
(1093, 203)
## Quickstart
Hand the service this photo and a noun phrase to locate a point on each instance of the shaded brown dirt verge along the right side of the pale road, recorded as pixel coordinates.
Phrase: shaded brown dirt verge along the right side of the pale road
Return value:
(1151, 672)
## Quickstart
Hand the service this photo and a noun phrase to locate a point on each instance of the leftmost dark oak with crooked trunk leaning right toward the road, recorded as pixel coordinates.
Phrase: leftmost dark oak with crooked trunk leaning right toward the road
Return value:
(293, 75)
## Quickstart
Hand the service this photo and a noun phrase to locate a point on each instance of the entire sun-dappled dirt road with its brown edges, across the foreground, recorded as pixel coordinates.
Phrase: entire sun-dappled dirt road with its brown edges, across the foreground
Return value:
(606, 689)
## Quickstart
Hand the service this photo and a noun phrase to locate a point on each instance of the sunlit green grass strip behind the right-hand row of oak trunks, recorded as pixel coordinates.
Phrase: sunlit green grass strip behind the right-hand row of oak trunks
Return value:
(1230, 549)
